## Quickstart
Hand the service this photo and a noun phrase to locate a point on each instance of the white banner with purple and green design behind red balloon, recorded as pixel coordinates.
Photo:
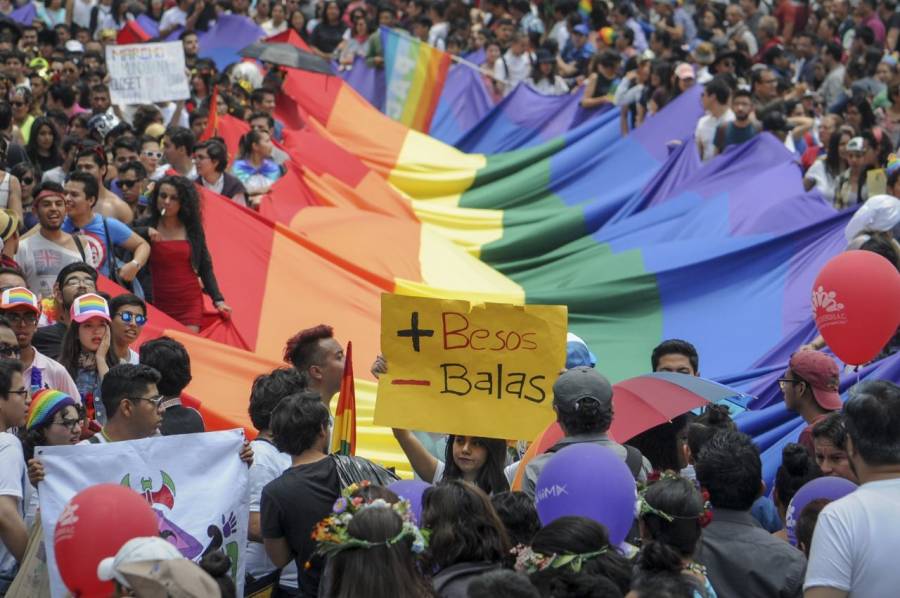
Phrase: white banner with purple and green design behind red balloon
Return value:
(196, 484)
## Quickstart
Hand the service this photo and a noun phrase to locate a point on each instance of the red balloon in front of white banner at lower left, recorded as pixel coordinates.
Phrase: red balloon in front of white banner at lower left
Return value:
(94, 525)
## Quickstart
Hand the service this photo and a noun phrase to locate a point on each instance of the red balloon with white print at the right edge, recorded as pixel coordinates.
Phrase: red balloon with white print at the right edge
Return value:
(856, 304)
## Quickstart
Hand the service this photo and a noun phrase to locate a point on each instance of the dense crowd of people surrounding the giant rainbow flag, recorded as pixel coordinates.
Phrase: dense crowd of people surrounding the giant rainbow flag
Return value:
(89, 188)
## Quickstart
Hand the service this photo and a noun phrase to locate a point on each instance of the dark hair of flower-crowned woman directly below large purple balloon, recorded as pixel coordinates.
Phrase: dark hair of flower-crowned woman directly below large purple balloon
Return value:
(579, 535)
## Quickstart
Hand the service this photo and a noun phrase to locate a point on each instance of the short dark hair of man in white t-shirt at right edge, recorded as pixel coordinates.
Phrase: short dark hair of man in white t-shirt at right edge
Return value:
(872, 419)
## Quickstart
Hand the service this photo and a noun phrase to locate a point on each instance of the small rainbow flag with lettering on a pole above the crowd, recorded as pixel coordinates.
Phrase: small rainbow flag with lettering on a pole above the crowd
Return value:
(415, 74)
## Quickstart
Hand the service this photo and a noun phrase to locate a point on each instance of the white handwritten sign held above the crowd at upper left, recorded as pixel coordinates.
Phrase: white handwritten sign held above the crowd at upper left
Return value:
(146, 73)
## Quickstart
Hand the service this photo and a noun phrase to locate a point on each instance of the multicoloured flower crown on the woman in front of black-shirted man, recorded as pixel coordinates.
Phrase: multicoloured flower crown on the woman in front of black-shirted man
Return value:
(332, 532)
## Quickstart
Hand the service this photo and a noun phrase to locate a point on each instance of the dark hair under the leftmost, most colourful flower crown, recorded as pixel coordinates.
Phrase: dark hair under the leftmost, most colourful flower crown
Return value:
(350, 571)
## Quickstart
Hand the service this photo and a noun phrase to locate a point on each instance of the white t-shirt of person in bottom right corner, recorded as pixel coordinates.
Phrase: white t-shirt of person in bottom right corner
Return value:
(857, 541)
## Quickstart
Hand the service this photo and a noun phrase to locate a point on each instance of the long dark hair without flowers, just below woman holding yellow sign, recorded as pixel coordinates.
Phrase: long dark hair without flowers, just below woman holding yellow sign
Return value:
(464, 526)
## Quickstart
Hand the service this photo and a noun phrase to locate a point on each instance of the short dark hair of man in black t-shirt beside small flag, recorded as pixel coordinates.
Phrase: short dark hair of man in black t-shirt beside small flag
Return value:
(297, 421)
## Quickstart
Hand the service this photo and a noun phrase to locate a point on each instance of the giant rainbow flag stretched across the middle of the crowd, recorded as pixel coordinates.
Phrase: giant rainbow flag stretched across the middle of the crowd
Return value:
(640, 239)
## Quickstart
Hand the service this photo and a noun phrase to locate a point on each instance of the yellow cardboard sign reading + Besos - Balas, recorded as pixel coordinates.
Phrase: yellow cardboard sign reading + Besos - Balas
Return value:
(473, 369)
